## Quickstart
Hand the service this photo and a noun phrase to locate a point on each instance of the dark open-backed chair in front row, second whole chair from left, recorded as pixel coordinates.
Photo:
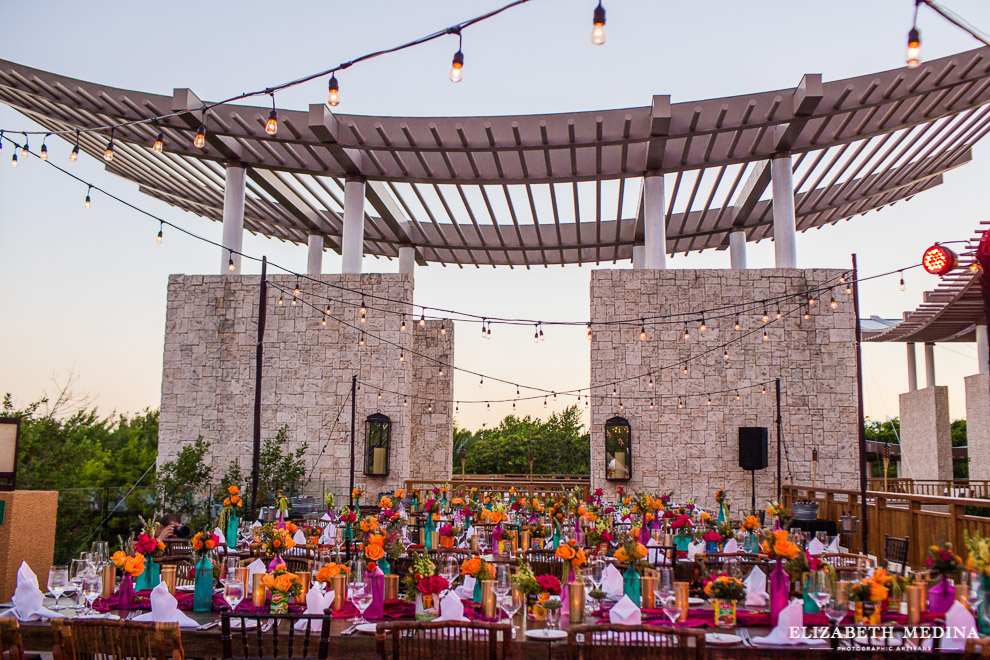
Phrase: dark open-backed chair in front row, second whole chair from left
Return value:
(274, 636)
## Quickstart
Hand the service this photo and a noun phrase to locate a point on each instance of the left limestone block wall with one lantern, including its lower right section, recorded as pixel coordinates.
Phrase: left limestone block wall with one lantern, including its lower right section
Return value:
(208, 376)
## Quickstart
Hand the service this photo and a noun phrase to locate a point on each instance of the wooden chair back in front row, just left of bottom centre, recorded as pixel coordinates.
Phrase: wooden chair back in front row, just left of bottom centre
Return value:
(436, 639)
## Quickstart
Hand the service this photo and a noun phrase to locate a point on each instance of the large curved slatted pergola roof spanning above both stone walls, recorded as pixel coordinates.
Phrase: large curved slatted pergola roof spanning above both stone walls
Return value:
(533, 190)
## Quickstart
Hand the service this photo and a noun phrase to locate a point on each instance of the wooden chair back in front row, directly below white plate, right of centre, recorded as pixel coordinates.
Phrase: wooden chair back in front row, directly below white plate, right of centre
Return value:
(589, 642)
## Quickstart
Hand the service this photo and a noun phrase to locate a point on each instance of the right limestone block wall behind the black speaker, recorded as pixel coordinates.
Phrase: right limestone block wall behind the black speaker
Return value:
(694, 451)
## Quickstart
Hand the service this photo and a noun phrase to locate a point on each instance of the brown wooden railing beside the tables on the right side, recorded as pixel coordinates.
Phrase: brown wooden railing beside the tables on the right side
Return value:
(927, 519)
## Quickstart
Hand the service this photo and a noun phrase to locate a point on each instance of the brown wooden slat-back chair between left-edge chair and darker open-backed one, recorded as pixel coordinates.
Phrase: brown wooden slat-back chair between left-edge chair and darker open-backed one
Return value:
(103, 639)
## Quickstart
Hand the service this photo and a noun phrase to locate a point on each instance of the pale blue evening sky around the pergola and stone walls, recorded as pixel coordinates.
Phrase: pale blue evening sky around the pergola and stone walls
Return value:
(84, 289)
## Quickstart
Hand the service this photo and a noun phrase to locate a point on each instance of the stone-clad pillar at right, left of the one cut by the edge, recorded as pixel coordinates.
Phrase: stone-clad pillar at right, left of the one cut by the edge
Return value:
(926, 437)
